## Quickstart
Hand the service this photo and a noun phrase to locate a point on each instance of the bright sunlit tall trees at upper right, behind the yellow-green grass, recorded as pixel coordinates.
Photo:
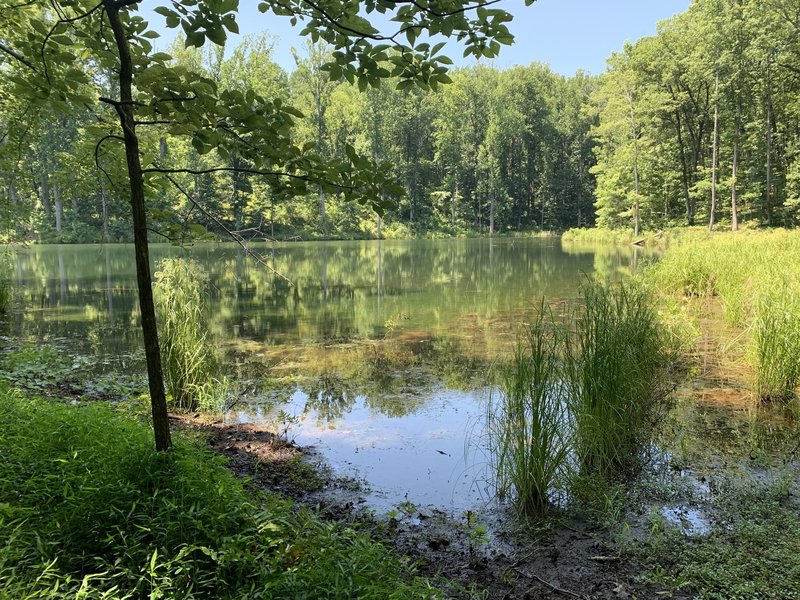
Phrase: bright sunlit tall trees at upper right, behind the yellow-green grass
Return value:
(700, 123)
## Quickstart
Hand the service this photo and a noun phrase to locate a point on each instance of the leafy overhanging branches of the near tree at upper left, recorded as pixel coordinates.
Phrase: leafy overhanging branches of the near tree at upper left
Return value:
(61, 54)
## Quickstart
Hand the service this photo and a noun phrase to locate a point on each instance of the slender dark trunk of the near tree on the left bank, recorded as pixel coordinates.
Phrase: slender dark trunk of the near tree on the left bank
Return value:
(125, 111)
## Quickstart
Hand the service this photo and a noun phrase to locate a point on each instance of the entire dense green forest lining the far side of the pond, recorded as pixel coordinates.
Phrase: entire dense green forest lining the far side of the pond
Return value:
(697, 124)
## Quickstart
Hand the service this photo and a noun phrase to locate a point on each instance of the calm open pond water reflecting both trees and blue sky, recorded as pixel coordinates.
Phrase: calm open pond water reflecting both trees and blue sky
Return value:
(460, 301)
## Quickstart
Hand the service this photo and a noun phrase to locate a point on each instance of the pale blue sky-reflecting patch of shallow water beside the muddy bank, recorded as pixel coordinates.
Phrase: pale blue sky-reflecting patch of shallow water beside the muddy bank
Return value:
(421, 458)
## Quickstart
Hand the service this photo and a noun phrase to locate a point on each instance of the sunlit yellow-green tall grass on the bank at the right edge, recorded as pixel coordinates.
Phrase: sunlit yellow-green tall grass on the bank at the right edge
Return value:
(755, 276)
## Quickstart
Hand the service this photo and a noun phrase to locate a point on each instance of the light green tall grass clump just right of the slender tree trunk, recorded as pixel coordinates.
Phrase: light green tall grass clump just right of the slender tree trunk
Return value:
(188, 357)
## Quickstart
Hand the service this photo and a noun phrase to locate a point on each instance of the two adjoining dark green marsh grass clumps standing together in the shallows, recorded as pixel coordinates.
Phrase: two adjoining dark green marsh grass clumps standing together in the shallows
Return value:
(582, 399)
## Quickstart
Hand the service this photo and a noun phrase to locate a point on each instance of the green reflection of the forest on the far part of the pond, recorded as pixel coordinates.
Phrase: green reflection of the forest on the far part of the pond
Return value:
(339, 291)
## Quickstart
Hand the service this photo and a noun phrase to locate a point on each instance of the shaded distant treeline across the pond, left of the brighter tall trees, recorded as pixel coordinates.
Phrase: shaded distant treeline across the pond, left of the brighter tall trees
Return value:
(493, 151)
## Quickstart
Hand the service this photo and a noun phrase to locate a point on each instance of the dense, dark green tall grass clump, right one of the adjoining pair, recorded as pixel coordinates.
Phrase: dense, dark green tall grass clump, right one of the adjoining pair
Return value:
(618, 376)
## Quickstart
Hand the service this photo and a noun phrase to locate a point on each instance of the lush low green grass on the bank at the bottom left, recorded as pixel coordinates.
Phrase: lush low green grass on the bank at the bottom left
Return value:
(89, 510)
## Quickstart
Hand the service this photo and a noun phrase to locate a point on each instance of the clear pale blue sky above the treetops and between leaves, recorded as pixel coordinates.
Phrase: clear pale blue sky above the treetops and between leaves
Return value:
(566, 34)
